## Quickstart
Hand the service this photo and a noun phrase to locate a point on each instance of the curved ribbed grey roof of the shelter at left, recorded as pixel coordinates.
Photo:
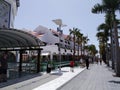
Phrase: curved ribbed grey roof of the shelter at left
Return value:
(13, 38)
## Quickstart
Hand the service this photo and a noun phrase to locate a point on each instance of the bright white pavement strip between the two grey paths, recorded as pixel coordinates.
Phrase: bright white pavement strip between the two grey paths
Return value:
(61, 81)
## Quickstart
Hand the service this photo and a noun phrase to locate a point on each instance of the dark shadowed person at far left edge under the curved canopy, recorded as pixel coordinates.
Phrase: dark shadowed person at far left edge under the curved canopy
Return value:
(4, 66)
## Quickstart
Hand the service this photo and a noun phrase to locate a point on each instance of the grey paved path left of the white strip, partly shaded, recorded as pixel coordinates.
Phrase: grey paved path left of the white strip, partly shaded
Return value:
(26, 83)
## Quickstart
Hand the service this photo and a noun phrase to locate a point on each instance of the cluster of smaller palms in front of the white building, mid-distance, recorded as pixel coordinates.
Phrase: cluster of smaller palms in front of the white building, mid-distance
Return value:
(82, 43)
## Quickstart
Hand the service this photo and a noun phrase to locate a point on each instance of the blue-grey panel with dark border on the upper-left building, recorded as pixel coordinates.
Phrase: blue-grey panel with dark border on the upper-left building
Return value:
(4, 14)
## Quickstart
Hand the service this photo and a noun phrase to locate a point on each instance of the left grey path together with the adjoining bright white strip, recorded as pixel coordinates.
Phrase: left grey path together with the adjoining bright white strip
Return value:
(42, 82)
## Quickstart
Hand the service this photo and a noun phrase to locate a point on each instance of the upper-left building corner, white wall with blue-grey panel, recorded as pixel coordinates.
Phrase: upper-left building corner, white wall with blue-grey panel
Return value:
(8, 11)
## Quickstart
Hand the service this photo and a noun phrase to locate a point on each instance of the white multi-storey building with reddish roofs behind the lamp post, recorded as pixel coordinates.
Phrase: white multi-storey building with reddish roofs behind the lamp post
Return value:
(51, 39)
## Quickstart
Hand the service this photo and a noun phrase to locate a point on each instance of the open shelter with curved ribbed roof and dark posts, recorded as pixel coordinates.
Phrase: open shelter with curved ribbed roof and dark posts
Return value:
(13, 40)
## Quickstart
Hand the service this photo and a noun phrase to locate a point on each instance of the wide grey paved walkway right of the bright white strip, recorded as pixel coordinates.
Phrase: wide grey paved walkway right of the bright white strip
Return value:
(98, 77)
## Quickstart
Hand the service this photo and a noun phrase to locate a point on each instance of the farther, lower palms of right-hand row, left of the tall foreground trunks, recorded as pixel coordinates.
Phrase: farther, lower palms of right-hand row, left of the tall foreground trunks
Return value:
(103, 37)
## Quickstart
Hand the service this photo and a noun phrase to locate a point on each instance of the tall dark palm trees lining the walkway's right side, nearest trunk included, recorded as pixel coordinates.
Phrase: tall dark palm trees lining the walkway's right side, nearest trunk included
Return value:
(109, 29)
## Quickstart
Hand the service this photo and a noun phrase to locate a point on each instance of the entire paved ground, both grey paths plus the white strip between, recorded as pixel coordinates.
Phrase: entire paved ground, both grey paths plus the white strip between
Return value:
(98, 77)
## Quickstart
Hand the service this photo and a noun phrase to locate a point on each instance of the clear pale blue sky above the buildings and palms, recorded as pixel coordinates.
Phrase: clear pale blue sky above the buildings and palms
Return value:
(74, 13)
